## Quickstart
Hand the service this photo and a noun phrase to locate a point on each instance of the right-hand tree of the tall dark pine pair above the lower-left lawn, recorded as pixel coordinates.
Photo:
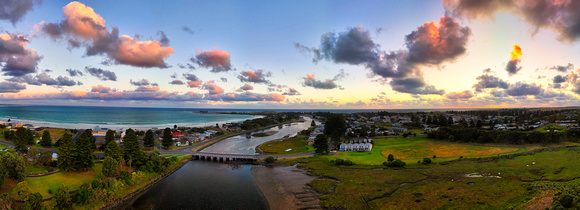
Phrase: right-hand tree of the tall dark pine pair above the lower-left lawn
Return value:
(84, 150)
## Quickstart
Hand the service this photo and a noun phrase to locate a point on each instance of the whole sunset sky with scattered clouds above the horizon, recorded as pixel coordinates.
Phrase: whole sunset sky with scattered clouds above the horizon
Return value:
(291, 54)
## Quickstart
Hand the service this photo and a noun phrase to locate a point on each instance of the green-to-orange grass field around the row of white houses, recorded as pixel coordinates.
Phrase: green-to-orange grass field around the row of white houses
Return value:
(413, 149)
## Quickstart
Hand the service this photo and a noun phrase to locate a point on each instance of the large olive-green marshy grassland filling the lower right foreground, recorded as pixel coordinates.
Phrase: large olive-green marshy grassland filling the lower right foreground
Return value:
(530, 180)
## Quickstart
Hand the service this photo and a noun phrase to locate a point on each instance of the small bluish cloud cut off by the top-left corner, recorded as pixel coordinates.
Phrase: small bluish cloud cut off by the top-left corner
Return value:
(14, 10)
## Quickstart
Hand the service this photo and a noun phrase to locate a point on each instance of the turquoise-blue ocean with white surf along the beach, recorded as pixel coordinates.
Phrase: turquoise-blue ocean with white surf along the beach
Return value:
(85, 117)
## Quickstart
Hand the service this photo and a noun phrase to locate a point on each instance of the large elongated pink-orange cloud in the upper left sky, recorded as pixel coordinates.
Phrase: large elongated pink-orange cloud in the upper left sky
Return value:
(83, 27)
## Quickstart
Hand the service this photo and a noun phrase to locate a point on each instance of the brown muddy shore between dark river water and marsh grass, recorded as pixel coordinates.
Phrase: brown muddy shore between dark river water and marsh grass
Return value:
(285, 187)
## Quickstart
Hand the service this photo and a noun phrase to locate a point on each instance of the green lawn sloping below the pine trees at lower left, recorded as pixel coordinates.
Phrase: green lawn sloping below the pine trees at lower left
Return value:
(73, 180)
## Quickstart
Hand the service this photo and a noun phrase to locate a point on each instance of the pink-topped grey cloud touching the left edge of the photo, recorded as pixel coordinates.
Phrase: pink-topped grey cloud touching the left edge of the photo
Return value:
(16, 59)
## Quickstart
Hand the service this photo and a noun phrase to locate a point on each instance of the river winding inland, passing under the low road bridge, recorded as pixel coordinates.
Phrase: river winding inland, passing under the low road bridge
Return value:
(212, 185)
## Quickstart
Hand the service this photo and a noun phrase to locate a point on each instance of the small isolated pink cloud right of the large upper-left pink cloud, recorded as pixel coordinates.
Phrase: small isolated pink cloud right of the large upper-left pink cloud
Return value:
(217, 60)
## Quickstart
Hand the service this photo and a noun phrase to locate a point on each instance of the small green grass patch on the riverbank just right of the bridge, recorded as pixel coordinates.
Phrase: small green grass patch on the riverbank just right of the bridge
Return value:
(296, 145)
